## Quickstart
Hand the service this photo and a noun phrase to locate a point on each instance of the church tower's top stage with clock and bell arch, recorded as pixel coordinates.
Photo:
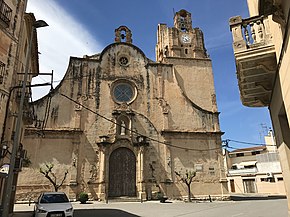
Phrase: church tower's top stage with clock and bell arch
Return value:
(180, 41)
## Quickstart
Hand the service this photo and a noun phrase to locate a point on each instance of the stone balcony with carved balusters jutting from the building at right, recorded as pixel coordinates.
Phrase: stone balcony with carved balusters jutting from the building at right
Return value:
(255, 57)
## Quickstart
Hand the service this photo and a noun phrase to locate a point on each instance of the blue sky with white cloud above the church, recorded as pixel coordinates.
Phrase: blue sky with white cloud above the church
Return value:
(78, 28)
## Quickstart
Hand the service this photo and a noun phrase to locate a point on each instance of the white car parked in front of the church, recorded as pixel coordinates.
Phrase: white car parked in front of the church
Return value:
(53, 204)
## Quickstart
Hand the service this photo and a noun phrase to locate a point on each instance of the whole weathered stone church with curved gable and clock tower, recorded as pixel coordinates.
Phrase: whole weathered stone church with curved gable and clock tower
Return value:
(123, 125)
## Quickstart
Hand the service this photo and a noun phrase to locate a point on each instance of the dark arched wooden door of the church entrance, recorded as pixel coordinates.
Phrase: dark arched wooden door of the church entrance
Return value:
(122, 173)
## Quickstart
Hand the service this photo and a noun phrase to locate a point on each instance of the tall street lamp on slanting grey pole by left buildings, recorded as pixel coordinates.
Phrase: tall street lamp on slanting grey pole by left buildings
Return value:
(16, 139)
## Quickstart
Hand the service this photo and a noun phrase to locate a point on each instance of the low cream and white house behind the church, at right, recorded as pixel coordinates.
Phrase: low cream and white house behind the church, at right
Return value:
(255, 169)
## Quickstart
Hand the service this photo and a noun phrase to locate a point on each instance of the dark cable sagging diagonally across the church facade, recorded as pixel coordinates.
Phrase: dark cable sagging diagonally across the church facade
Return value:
(133, 131)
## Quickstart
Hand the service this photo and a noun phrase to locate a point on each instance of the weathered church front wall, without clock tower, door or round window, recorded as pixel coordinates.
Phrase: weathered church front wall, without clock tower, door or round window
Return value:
(180, 134)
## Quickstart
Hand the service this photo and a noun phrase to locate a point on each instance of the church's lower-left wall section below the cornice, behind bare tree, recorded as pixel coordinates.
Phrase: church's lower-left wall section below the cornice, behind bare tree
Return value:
(58, 149)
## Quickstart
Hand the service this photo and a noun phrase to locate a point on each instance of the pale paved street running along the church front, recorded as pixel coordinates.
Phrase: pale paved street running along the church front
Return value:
(251, 208)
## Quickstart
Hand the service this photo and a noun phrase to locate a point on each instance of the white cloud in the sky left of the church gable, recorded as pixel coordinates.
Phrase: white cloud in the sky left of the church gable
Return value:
(64, 37)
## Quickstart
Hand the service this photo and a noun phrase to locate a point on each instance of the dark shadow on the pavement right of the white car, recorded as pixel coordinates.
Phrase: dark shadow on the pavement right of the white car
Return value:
(102, 212)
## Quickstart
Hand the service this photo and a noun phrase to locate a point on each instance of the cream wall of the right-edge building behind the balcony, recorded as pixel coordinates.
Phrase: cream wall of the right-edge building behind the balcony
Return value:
(279, 107)
